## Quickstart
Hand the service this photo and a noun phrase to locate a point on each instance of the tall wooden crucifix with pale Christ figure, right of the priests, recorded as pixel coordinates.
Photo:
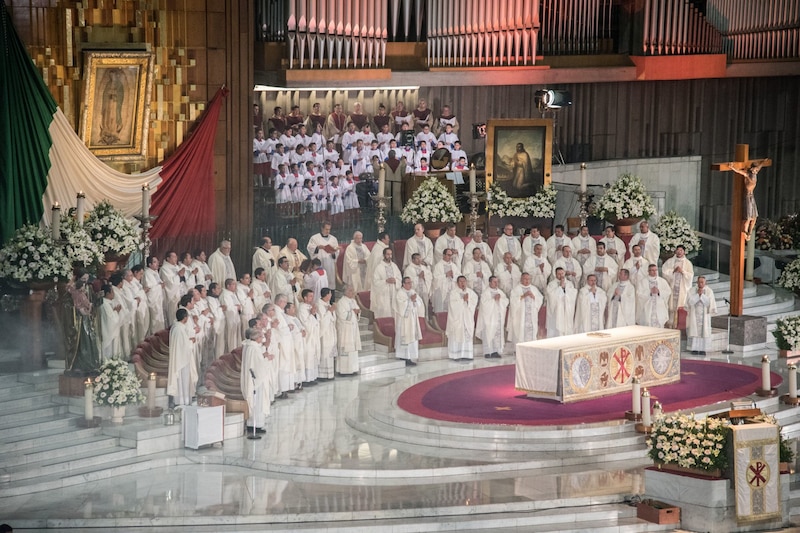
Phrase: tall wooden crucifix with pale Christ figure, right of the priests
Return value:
(743, 216)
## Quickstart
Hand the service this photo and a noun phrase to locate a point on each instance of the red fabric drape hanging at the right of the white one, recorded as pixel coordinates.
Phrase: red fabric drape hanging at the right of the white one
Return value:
(184, 202)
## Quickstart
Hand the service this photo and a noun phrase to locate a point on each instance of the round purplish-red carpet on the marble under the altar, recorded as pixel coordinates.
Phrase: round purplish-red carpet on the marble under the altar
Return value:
(488, 396)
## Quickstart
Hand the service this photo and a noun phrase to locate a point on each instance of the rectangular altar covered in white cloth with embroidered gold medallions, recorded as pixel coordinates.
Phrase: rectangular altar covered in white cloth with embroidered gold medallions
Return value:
(591, 365)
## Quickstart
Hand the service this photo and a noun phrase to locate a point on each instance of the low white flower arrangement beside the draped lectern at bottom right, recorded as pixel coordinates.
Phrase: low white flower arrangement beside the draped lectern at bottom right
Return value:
(685, 441)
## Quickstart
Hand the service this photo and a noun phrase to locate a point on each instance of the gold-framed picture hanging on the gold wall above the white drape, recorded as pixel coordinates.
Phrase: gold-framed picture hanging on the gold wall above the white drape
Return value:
(116, 108)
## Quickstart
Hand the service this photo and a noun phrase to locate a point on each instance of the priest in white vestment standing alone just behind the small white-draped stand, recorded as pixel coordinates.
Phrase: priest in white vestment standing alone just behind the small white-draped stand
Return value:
(182, 374)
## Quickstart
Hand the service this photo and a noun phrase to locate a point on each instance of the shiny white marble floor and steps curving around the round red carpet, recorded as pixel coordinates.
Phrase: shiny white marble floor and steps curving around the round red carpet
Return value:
(320, 467)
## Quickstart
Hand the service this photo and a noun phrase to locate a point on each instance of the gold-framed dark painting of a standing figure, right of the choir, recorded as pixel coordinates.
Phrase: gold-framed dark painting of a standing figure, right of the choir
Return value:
(519, 155)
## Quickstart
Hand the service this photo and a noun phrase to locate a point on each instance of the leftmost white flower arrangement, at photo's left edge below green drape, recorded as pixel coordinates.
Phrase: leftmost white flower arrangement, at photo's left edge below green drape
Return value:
(30, 255)
